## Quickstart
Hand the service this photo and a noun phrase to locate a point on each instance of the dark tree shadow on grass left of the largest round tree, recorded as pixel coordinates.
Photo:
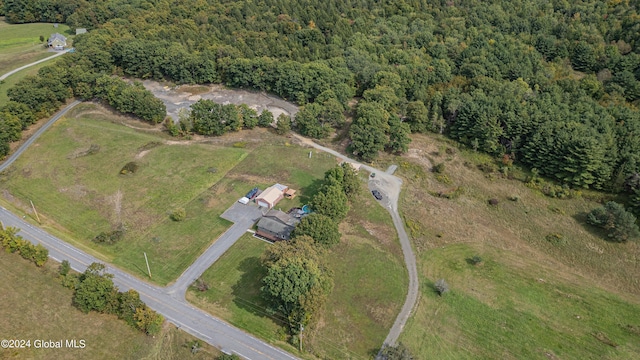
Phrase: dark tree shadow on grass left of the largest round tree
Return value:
(246, 292)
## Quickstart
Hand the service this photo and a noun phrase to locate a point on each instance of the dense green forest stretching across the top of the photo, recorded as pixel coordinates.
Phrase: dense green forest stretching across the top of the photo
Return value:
(552, 84)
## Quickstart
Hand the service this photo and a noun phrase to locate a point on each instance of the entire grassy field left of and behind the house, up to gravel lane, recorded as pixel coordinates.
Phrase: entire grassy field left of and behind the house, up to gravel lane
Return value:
(80, 193)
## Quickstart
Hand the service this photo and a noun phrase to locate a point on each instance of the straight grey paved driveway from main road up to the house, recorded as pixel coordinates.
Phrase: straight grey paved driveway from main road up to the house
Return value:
(243, 218)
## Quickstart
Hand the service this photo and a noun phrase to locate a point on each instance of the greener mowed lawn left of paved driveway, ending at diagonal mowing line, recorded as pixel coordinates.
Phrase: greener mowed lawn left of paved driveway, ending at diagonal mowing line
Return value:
(78, 195)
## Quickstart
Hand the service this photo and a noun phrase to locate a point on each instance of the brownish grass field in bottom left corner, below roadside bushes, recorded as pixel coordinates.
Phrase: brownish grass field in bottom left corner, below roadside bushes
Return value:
(36, 306)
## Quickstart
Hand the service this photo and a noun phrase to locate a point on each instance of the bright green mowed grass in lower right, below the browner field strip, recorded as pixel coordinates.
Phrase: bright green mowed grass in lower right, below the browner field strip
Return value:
(513, 308)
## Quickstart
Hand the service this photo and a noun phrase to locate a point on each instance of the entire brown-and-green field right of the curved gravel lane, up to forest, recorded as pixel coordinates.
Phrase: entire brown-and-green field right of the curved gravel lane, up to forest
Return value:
(532, 298)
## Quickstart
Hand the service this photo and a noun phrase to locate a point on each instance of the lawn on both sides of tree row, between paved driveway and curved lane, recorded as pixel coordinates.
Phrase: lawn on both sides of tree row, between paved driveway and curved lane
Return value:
(370, 284)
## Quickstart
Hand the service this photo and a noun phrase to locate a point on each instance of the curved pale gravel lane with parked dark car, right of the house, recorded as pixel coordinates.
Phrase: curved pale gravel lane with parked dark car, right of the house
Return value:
(389, 185)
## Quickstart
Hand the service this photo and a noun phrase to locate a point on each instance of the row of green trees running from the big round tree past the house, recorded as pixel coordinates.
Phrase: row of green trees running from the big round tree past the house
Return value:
(298, 280)
